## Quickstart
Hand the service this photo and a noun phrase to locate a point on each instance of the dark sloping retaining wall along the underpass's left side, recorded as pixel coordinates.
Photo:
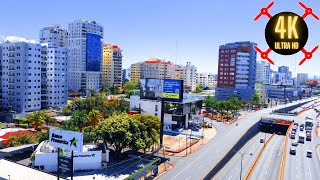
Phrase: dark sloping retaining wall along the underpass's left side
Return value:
(251, 132)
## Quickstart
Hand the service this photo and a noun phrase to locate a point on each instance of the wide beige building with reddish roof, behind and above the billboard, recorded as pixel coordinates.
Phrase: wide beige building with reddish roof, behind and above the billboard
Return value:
(157, 69)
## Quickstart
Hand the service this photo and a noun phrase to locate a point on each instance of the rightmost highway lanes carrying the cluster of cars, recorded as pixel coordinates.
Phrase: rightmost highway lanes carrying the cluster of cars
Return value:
(299, 166)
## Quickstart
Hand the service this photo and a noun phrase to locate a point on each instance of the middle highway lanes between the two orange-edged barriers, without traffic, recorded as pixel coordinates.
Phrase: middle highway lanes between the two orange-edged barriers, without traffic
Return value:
(267, 167)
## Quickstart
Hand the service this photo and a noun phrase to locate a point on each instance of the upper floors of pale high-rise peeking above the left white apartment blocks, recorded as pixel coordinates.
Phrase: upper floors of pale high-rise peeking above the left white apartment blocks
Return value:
(54, 36)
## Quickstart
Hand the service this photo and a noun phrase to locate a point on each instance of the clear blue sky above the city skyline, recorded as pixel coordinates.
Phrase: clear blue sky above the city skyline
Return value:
(151, 28)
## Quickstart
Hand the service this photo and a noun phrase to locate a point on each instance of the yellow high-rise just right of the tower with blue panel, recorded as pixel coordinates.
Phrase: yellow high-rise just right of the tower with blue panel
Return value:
(112, 66)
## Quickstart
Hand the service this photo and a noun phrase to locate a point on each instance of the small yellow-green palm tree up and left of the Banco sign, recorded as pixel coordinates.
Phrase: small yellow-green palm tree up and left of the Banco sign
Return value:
(37, 119)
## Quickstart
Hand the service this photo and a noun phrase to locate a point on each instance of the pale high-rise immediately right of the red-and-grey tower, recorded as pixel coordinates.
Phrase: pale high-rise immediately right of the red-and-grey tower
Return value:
(263, 72)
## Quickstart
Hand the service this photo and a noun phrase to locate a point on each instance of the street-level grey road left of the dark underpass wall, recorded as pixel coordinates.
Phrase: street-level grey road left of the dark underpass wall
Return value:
(199, 164)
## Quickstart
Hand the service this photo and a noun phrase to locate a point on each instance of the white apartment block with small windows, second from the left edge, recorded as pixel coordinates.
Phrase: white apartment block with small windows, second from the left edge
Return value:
(54, 86)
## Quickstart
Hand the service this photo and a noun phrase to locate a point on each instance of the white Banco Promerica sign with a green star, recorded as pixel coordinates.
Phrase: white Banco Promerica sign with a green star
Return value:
(66, 139)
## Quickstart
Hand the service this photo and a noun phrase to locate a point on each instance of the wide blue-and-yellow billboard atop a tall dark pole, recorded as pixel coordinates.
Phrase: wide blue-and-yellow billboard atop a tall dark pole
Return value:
(167, 89)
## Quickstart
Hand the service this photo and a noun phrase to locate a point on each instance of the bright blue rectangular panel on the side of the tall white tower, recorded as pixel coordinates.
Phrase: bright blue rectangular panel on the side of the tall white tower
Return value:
(94, 52)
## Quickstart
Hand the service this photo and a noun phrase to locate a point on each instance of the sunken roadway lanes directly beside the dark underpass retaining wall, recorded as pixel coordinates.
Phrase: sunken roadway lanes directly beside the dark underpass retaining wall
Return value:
(232, 169)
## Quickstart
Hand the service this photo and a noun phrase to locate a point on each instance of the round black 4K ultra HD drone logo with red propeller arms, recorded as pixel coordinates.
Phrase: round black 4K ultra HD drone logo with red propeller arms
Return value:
(286, 33)
